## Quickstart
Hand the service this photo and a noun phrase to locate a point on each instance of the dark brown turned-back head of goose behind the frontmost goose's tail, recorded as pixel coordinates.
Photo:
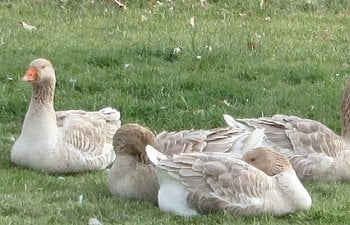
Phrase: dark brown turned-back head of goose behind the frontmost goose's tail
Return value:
(132, 139)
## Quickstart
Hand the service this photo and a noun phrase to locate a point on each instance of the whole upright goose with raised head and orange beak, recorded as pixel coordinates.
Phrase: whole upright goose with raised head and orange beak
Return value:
(64, 141)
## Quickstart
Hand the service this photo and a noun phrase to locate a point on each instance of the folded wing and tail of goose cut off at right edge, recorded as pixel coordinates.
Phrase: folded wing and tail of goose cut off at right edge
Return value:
(295, 135)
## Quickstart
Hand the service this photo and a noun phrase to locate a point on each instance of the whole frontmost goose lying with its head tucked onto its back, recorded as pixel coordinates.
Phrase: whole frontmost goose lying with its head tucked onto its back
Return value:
(261, 181)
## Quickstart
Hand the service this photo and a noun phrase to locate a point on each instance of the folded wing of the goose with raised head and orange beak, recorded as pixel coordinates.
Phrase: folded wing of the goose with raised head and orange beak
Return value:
(90, 134)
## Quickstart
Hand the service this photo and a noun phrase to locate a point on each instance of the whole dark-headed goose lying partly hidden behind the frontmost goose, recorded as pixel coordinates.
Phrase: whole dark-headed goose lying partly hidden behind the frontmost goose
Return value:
(132, 175)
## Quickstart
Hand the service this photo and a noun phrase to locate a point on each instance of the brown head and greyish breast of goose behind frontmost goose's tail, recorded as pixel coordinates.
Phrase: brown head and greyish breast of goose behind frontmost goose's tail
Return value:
(131, 175)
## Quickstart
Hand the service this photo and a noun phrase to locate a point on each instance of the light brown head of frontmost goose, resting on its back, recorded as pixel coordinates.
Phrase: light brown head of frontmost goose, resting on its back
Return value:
(267, 160)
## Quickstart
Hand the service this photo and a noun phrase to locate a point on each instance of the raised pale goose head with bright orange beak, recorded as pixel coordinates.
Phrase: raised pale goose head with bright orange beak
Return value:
(40, 71)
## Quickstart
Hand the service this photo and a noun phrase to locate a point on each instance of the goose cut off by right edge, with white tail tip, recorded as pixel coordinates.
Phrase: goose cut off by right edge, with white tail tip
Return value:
(315, 151)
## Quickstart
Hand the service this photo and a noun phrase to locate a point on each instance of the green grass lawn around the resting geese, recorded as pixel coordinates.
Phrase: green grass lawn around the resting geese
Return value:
(288, 57)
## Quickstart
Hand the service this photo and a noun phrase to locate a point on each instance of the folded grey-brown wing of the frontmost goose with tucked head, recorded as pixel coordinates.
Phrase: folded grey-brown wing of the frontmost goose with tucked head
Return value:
(218, 181)
